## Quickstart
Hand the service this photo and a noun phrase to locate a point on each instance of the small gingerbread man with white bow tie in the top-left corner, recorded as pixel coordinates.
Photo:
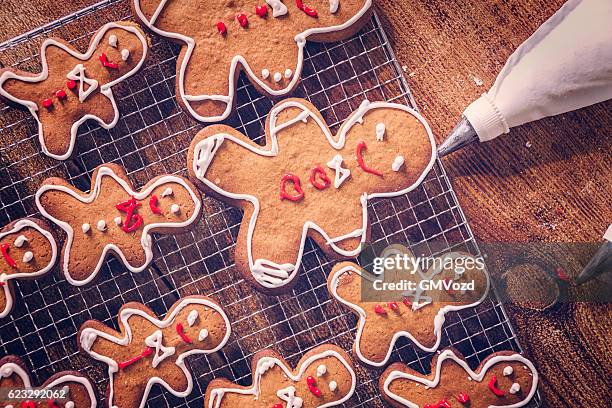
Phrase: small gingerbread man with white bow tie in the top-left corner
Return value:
(73, 87)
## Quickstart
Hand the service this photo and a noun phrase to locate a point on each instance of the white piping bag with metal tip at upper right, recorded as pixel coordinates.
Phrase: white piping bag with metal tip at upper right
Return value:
(565, 65)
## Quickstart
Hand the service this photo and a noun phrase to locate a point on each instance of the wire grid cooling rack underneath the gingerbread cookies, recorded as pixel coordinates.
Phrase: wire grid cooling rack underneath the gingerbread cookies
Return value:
(151, 138)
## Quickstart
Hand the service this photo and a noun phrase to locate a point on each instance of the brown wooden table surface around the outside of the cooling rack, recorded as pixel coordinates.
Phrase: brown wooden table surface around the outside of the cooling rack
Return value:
(548, 182)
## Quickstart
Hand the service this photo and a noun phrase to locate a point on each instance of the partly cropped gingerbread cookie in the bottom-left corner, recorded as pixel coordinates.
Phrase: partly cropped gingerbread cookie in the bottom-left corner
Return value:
(67, 389)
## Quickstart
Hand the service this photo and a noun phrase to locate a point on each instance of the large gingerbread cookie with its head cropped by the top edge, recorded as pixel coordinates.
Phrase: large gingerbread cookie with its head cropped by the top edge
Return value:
(220, 39)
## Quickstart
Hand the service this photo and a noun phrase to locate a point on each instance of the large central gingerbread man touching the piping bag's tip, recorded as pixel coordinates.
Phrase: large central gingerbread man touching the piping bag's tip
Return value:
(307, 182)
